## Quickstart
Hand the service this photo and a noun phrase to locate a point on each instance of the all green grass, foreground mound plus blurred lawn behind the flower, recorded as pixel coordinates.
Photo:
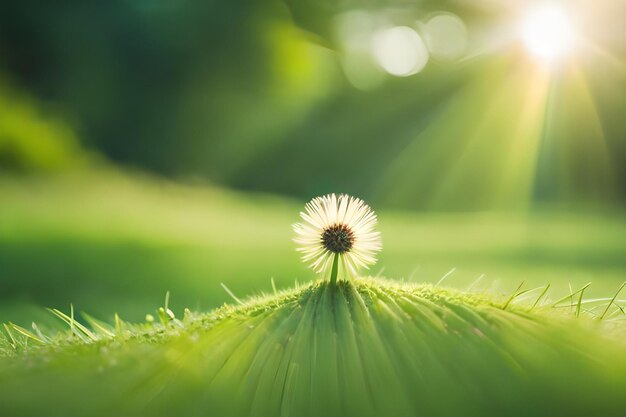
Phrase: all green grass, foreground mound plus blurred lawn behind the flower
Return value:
(110, 242)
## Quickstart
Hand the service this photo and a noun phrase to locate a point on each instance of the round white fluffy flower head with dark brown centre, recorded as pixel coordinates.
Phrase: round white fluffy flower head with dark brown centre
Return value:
(339, 228)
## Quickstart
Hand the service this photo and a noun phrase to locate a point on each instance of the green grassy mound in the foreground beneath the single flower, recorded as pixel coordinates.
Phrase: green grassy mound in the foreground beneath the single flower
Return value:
(364, 348)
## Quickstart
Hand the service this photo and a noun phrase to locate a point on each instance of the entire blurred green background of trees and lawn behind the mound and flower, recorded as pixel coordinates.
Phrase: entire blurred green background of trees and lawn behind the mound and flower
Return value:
(148, 146)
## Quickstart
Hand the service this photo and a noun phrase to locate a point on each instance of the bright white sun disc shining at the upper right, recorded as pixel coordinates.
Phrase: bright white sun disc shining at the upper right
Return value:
(547, 33)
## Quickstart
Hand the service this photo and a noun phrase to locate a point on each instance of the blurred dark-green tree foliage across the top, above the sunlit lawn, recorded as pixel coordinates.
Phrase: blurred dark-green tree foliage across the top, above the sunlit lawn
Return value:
(251, 94)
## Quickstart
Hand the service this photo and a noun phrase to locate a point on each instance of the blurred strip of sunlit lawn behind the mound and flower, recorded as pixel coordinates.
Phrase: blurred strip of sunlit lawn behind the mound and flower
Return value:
(108, 241)
